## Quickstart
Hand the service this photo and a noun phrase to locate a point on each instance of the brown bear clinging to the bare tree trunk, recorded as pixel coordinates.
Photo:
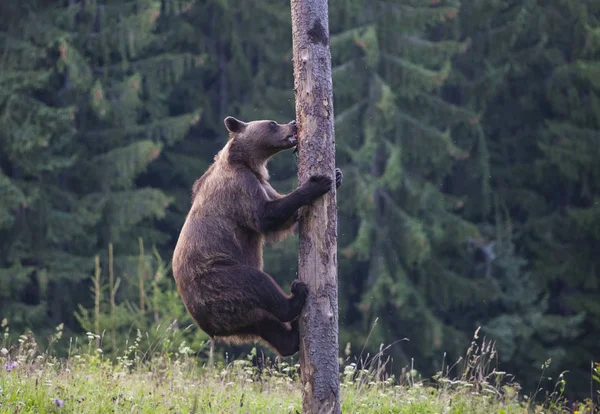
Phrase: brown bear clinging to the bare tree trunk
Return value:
(218, 259)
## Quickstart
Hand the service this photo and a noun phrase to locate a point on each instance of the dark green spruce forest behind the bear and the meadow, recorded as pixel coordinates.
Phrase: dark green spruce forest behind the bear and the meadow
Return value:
(468, 133)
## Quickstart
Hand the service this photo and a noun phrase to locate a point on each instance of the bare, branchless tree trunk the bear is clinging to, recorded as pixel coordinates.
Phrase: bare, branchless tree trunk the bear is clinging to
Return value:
(317, 264)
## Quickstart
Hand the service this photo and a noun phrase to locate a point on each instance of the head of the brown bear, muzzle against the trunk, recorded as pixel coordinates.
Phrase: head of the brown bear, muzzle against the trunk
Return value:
(257, 141)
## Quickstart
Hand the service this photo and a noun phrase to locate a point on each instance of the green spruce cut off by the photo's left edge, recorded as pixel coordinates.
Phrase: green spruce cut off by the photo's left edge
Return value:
(40, 221)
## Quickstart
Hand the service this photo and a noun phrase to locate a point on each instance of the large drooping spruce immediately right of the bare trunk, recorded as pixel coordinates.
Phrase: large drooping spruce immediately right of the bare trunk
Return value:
(403, 235)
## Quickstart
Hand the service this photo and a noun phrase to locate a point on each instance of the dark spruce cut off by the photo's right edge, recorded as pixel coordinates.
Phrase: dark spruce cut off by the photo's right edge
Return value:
(566, 238)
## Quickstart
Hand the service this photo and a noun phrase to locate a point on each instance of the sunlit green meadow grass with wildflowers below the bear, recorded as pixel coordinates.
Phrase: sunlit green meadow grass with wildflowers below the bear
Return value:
(171, 380)
